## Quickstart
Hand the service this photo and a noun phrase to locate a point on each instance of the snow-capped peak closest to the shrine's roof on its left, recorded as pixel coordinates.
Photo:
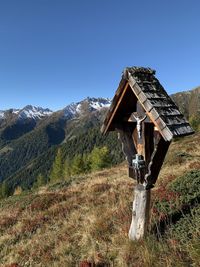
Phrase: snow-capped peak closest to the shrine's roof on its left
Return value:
(87, 105)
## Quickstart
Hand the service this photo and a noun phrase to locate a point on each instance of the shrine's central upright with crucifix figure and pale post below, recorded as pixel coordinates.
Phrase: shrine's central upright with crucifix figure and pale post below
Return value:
(142, 196)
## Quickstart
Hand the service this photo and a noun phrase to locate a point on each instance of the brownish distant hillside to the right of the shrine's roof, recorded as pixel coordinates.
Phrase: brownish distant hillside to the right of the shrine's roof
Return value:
(188, 102)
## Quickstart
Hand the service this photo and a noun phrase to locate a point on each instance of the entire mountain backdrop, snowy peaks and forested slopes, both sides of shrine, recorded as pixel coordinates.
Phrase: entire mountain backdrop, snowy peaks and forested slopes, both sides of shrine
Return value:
(29, 137)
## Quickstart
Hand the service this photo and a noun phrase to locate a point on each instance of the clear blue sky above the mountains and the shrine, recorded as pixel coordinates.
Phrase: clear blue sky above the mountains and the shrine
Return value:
(53, 52)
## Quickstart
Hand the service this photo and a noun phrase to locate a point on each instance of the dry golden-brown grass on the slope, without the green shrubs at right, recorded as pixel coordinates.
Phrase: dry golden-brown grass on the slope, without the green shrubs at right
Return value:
(87, 222)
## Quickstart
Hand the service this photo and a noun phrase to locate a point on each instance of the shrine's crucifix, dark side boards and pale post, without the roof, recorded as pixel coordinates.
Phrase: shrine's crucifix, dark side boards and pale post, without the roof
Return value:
(142, 158)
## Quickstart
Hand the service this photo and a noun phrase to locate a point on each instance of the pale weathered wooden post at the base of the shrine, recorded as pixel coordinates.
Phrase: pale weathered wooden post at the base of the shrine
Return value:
(140, 213)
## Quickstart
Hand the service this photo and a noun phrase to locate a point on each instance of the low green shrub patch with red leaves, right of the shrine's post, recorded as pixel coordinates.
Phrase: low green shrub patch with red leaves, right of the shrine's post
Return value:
(176, 200)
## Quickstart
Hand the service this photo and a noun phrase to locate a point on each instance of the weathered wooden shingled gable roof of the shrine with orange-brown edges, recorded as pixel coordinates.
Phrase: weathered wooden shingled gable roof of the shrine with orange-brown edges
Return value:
(157, 104)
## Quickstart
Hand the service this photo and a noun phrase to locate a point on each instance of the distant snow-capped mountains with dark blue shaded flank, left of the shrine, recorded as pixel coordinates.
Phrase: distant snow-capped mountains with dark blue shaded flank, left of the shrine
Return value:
(16, 122)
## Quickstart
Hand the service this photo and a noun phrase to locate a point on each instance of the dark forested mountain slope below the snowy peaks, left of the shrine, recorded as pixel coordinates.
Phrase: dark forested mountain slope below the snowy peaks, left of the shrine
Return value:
(33, 153)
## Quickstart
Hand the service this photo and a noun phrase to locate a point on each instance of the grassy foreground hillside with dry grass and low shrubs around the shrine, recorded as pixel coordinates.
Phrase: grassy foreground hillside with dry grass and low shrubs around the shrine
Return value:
(84, 221)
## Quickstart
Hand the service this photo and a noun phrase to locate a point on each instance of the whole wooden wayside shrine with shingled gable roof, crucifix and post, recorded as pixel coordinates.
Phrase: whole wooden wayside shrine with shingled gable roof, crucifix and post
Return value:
(146, 120)
